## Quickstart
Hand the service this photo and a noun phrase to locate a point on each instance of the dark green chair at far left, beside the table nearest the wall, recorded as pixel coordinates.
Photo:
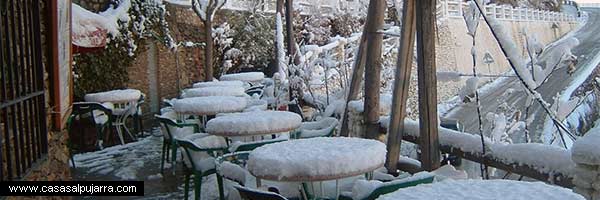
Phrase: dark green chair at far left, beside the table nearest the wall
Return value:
(92, 112)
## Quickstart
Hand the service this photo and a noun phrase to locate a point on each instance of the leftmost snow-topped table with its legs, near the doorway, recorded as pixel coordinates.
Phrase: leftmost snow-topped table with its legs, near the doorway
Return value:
(125, 105)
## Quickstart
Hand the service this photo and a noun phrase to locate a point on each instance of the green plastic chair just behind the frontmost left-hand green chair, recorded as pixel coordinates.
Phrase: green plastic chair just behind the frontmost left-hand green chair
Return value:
(169, 140)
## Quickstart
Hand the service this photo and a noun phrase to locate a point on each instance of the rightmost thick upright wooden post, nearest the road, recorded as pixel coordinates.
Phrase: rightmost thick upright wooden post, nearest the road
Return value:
(428, 118)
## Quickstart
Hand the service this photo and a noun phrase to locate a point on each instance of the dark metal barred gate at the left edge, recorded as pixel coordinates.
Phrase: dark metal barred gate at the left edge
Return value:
(22, 113)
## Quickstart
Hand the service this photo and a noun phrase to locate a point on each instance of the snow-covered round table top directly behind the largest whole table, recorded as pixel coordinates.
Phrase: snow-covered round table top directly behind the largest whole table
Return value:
(253, 123)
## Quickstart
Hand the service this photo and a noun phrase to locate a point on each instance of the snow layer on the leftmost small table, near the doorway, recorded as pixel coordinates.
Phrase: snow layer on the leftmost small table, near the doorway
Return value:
(114, 96)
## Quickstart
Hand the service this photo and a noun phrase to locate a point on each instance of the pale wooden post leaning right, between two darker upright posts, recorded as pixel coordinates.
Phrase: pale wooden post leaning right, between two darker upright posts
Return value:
(401, 85)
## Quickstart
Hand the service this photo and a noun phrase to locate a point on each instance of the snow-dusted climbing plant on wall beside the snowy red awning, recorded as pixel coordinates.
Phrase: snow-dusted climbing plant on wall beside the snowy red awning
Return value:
(132, 22)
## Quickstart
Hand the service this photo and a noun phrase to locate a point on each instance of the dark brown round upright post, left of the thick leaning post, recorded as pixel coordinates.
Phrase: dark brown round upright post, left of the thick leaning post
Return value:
(373, 67)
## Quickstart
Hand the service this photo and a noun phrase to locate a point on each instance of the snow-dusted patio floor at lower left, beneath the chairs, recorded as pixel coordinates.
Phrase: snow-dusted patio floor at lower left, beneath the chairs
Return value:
(140, 161)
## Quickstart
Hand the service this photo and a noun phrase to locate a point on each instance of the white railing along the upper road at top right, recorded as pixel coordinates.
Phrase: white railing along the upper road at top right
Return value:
(455, 8)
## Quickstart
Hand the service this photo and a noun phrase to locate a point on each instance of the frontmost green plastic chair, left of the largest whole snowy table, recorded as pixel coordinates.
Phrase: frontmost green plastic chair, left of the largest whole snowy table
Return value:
(197, 167)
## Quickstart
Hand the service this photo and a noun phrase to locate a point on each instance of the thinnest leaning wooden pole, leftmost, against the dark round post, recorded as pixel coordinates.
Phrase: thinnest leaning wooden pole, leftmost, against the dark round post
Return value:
(356, 79)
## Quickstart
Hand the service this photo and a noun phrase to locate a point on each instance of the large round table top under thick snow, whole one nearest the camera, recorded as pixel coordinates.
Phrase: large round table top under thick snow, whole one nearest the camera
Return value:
(316, 159)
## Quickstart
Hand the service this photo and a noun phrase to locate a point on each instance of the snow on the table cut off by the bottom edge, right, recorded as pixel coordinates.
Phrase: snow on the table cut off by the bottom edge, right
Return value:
(483, 189)
